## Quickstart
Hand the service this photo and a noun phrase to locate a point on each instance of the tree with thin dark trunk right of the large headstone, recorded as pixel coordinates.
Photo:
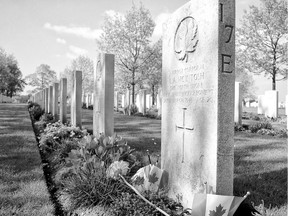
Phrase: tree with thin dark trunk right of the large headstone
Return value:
(262, 40)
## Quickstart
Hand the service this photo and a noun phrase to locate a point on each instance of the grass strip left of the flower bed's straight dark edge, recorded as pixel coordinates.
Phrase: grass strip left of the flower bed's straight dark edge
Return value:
(22, 186)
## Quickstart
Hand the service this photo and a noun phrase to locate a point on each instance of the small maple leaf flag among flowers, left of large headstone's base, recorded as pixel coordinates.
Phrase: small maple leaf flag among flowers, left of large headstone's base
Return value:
(150, 178)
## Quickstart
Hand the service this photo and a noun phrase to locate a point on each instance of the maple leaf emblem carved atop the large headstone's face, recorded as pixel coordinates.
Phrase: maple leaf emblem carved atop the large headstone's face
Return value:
(186, 38)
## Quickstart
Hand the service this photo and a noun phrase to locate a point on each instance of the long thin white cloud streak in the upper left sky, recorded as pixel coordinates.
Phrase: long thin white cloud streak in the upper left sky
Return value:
(84, 32)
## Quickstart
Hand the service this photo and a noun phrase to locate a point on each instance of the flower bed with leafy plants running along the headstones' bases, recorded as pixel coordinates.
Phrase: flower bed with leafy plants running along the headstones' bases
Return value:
(91, 175)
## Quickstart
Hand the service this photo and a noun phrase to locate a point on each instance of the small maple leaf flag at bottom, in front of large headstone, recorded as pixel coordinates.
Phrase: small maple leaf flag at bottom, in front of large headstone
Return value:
(215, 205)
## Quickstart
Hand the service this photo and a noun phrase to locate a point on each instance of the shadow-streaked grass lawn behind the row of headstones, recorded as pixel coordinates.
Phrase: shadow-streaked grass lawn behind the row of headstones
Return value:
(260, 160)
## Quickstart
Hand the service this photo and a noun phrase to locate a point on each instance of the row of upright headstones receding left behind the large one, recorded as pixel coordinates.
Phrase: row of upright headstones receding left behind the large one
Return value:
(103, 101)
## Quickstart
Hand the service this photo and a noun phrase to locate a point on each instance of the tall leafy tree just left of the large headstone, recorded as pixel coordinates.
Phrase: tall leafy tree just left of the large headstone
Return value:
(128, 38)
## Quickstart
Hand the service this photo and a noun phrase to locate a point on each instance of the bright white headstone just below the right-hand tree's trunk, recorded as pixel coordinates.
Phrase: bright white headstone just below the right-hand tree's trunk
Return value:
(271, 98)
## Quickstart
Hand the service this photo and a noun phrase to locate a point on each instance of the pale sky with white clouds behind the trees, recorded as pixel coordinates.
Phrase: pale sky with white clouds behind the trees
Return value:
(54, 32)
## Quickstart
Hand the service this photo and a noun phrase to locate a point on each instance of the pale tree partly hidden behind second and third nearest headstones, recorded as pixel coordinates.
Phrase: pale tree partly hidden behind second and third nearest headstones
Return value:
(84, 64)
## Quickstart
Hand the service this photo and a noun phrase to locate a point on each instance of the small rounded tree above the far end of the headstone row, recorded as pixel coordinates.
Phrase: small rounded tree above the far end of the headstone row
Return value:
(42, 78)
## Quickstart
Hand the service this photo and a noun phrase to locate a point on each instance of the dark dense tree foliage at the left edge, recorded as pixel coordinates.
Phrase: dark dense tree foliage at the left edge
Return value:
(11, 80)
